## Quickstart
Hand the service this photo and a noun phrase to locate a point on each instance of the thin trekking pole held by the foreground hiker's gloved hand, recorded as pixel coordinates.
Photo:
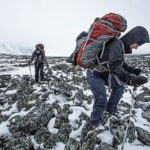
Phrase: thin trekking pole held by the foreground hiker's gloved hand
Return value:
(130, 114)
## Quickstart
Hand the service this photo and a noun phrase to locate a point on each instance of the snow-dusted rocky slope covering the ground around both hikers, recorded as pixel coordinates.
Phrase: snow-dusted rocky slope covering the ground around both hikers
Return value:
(52, 114)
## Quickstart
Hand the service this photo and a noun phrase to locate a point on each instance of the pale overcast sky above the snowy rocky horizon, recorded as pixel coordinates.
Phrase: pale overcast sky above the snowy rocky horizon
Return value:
(56, 23)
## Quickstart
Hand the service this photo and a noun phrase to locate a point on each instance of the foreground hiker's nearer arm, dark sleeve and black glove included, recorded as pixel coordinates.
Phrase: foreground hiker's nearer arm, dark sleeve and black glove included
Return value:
(116, 61)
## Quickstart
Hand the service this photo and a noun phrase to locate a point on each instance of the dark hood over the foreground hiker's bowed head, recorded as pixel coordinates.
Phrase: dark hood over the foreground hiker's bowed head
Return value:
(137, 35)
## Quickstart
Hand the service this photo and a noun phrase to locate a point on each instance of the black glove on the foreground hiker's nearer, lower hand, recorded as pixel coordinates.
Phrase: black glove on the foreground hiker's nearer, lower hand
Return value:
(137, 80)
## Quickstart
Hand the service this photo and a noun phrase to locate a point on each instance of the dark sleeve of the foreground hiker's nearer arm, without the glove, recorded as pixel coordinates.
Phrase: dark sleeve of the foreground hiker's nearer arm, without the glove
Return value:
(115, 60)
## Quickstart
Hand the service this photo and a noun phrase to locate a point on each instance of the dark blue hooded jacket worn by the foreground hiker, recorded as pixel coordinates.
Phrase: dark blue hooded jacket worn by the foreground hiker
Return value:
(115, 52)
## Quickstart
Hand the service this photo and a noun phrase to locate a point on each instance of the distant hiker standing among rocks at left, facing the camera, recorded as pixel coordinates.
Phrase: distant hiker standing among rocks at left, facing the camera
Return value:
(39, 56)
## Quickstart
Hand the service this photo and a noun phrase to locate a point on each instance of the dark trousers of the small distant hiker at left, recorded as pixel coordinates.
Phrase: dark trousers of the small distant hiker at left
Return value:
(39, 67)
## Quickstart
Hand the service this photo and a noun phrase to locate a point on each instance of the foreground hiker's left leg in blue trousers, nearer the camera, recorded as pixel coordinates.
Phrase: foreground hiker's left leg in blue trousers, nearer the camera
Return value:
(97, 85)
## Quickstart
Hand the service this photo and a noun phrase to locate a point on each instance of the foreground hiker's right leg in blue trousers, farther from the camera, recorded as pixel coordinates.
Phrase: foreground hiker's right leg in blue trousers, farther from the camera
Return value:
(116, 94)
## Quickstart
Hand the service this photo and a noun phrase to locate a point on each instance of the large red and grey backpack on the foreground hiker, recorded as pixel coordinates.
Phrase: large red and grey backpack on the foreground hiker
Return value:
(104, 29)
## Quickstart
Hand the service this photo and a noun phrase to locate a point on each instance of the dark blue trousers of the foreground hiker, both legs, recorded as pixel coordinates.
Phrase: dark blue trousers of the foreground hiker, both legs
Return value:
(97, 85)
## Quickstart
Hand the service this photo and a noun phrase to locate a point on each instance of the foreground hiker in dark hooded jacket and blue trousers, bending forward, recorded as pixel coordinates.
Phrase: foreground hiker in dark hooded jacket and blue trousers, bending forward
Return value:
(118, 74)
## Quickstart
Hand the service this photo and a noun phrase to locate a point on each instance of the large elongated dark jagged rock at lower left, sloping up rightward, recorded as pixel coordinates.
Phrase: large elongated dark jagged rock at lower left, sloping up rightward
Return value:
(33, 121)
